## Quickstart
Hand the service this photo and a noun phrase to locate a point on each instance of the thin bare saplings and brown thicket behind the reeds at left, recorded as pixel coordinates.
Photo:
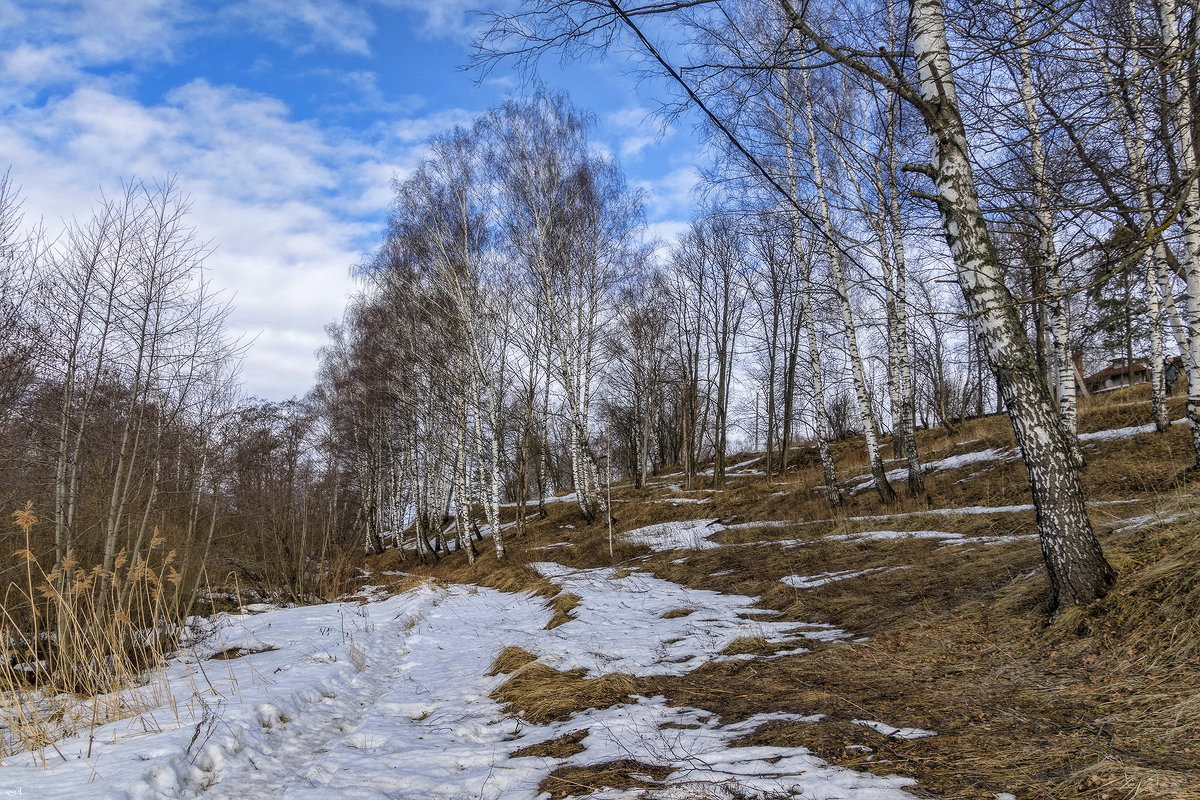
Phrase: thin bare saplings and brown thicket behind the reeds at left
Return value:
(121, 420)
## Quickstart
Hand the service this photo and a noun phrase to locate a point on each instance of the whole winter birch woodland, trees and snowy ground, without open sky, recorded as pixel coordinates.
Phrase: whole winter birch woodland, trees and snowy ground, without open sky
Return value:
(944, 269)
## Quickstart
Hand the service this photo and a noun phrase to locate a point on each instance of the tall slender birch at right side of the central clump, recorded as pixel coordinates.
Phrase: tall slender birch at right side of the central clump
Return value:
(572, 225)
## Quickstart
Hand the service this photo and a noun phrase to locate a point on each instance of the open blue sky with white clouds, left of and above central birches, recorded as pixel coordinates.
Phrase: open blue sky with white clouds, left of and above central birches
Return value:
(285, 121)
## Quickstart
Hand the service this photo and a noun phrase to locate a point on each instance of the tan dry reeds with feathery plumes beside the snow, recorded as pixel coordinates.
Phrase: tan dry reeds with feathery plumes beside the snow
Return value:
(83, 646)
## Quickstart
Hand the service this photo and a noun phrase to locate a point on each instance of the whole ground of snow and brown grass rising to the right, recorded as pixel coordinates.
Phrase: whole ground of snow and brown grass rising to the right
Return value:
(729, 642)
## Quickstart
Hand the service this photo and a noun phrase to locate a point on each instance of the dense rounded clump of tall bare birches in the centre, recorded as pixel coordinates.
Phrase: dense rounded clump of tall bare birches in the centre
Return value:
(483, 328)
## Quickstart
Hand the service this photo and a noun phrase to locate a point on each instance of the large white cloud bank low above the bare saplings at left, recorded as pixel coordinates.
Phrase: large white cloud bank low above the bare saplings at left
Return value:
(290, 209)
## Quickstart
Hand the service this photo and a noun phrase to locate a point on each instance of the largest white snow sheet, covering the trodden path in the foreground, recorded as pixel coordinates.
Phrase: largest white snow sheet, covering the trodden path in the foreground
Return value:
(391, 700)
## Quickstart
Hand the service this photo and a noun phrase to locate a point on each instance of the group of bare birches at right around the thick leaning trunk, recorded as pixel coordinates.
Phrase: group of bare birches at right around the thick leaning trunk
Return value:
(1053, 147)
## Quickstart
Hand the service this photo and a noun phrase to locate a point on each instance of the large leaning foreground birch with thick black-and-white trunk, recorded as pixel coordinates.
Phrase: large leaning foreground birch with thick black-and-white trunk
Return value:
(1076, 564)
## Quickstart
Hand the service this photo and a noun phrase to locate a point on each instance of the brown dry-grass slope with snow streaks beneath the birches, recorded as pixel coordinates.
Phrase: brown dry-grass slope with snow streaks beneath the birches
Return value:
(1102, 705)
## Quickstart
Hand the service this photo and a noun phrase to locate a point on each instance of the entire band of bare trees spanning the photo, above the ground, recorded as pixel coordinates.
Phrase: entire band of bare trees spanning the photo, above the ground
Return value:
(518, 334)
